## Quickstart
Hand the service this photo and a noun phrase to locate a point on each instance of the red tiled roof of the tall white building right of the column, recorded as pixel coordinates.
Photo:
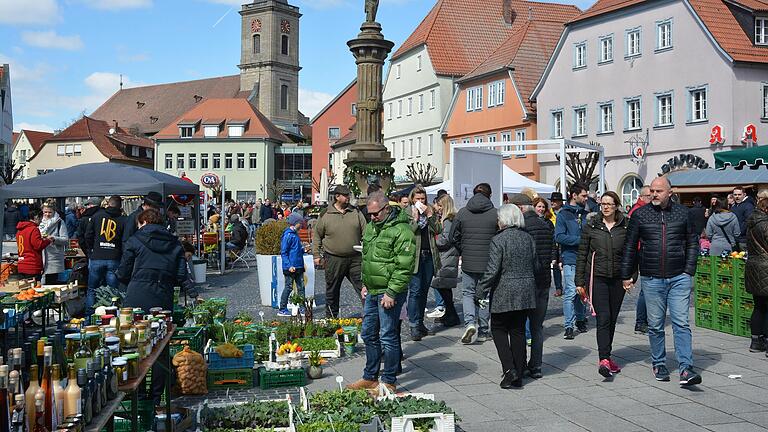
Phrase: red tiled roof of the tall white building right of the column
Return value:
(460, 34)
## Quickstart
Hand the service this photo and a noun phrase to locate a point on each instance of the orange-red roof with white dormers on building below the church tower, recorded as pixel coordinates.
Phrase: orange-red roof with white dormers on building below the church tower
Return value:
(226, 109)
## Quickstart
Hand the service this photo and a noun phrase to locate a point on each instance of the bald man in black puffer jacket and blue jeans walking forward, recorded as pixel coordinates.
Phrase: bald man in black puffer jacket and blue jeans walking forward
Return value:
(668, 252)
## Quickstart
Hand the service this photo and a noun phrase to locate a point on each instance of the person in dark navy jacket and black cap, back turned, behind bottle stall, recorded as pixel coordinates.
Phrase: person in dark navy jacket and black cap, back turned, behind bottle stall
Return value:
(152, 265)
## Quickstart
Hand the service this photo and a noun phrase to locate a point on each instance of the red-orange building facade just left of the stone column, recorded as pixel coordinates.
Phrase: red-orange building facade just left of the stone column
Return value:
(332, 122)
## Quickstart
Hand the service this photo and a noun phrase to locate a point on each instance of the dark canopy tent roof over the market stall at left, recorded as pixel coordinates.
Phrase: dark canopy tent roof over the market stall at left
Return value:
(101, 179)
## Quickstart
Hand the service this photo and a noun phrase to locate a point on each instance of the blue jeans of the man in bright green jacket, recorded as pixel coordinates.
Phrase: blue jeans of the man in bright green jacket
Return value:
(381, 338)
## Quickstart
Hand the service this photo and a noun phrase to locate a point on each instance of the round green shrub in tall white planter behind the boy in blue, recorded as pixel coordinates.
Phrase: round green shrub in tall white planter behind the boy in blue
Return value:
(270, 265)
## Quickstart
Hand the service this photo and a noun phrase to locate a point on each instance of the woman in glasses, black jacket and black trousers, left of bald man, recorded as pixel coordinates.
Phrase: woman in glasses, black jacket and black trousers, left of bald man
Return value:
(598, 264)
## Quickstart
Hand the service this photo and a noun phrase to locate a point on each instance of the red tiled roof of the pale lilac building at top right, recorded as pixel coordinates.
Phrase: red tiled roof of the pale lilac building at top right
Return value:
(717, 18)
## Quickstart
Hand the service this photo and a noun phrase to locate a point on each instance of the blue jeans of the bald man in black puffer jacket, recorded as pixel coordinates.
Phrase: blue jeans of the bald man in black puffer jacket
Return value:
(673, 293)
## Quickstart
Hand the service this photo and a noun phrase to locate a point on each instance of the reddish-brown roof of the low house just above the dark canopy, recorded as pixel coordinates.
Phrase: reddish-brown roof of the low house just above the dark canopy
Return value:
(97, 131)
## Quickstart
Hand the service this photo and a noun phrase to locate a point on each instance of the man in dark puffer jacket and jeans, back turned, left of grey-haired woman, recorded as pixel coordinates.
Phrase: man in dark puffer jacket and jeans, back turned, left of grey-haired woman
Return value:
(472, 231)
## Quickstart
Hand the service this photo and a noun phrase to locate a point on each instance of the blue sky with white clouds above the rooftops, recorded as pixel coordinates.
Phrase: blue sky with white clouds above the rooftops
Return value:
(66, 56)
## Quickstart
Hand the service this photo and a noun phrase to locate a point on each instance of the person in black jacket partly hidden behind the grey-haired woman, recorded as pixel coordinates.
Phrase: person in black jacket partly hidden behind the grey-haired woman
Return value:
(543, 233)
